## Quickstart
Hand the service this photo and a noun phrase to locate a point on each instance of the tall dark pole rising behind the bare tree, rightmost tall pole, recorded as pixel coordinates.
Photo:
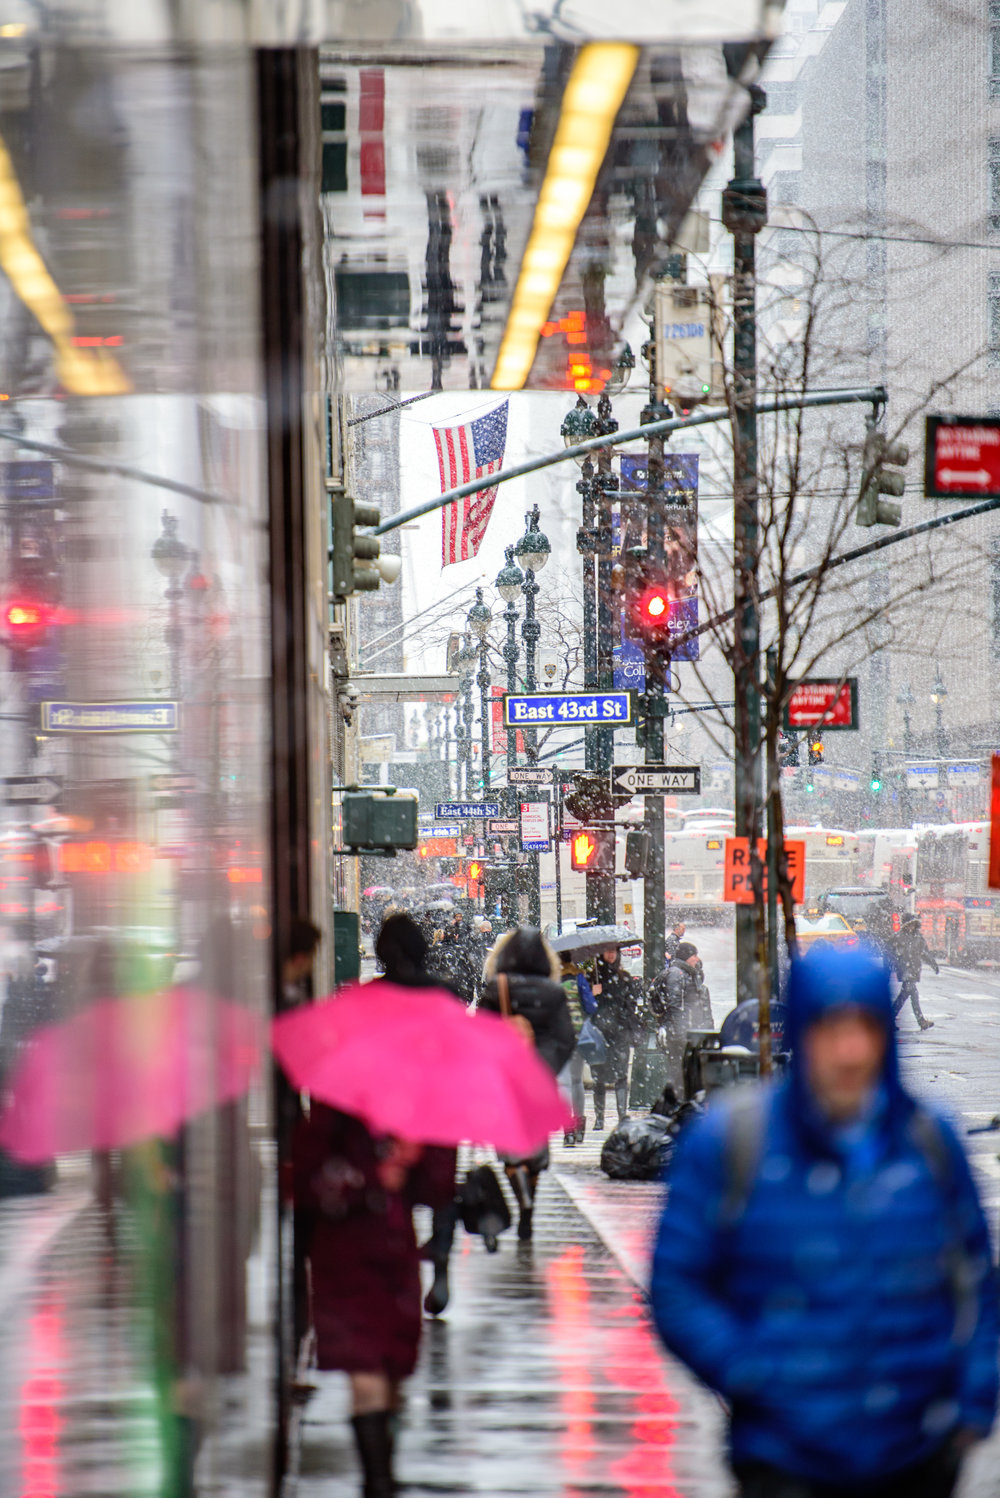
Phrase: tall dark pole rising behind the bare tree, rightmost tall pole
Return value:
(745, 213)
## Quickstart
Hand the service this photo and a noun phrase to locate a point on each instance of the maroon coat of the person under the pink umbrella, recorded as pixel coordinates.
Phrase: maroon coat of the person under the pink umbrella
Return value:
(362, 1246)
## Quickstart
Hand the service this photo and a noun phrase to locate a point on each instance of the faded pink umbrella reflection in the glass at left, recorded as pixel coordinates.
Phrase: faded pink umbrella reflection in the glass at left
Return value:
(126, 1070)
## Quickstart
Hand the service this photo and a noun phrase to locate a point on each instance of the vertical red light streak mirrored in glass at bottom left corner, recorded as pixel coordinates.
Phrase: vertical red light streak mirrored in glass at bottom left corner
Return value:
(40, 1422)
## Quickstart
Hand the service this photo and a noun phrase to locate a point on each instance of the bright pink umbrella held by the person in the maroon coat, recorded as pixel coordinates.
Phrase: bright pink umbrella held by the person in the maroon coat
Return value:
(414, 1063)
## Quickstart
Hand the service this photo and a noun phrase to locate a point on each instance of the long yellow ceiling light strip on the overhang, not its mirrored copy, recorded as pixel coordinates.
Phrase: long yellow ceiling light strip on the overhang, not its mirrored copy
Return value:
(594, 97)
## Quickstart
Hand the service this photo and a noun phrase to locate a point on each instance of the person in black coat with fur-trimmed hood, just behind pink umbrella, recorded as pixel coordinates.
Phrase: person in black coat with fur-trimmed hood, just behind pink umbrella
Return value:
(532, 973)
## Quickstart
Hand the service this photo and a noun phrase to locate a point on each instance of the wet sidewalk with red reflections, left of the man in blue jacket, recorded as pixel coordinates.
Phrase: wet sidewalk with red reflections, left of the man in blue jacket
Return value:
(544, 1376)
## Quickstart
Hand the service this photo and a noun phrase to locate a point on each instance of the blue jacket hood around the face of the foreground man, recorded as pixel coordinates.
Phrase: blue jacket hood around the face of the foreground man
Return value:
(829, 980)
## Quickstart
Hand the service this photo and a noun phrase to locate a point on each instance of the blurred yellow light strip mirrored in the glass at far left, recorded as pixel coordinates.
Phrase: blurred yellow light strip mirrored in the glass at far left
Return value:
(92, 372)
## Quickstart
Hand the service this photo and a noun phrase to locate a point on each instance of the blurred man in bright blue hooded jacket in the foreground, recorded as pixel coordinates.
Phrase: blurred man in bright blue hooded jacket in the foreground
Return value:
(824, 1262)
